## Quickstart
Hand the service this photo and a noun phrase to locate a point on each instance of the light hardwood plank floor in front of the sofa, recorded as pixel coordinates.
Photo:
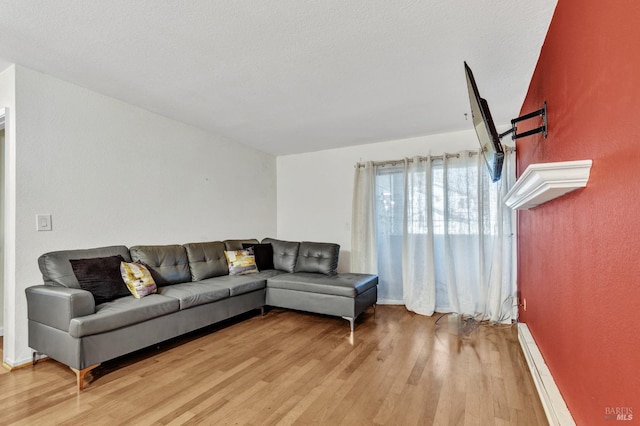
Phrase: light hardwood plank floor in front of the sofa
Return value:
(289, 367)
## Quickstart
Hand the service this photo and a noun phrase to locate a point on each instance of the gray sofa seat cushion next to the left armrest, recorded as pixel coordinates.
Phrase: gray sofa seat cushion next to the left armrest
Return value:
(122, 312)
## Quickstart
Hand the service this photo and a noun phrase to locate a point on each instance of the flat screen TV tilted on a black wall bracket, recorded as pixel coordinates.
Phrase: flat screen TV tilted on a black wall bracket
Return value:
(485, 128)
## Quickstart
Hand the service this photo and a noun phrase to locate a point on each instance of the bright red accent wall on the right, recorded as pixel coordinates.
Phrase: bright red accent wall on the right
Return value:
(579, 255)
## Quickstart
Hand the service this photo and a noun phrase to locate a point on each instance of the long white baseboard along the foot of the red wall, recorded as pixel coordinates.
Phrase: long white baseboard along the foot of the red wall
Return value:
(552, 401)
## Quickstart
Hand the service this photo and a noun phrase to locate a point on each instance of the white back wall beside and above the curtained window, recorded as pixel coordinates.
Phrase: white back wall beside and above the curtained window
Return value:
(315, 189)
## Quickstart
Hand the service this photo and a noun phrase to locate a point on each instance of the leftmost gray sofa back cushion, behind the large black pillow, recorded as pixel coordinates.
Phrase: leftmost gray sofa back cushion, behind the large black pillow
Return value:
(56, 268)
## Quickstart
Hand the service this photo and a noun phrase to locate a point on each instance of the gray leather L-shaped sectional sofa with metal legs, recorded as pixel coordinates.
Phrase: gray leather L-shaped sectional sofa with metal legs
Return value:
(194, 290)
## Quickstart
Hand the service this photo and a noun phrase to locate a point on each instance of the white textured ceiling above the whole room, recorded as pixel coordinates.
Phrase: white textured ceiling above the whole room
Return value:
(288, 76)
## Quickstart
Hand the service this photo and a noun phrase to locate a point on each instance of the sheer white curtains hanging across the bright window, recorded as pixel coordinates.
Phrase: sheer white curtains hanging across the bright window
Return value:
(438, 233)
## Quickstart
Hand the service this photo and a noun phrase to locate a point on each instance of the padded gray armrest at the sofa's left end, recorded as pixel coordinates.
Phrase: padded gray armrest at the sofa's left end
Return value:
(55, 306)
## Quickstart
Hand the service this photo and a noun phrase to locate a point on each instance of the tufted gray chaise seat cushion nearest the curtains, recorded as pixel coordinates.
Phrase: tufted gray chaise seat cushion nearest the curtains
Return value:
(344, 284)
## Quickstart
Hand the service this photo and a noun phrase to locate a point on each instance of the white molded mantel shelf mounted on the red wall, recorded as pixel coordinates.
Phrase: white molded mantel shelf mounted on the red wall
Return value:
(543, 182)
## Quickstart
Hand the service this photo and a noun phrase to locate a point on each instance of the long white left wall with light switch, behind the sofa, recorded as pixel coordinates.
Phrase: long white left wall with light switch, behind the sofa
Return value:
(112, 173)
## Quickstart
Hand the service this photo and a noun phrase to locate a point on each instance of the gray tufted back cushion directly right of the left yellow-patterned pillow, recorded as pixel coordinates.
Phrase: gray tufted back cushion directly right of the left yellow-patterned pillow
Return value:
(167, 264)
